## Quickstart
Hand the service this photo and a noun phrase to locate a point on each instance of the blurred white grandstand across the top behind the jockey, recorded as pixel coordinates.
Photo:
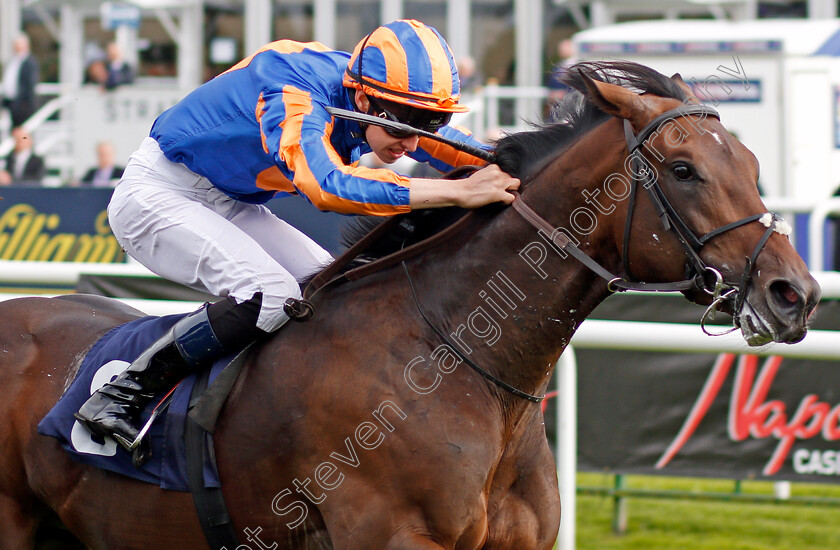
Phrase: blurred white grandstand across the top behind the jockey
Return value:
(176, 45)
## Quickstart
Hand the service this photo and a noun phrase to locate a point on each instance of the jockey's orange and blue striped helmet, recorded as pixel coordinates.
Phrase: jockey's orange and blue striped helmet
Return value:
(409, 63)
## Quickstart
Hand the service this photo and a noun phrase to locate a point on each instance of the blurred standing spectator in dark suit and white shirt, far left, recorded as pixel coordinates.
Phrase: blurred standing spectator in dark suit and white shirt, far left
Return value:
(20, 75)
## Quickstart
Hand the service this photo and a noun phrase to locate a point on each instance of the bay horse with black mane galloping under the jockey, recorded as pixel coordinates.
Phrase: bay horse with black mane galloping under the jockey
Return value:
(372, 426)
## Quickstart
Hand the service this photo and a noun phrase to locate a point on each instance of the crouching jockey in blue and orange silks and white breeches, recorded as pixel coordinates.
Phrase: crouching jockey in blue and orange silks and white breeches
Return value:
(190, 205)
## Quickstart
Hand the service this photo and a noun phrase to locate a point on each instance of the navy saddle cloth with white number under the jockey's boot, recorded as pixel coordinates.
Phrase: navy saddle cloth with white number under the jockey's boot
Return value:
(108, 357)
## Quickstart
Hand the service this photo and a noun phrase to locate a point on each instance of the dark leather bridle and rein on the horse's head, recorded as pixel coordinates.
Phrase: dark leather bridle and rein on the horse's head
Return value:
(699, 275)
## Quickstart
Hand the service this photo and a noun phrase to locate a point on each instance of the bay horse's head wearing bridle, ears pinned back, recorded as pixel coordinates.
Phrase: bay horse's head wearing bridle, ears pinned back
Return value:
(691, 176)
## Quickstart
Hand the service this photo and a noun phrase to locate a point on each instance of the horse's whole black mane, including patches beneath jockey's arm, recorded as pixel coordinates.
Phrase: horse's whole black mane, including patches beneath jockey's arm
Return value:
(516, 153)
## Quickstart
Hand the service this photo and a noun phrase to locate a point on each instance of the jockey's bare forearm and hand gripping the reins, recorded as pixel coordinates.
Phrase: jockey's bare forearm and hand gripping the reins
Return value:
(485, 186)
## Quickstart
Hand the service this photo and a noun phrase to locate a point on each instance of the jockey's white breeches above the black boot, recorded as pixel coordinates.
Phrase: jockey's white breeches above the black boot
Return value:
(177, 224)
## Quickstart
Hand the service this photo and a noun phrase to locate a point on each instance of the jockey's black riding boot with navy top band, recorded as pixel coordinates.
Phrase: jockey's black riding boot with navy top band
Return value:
(114, 410)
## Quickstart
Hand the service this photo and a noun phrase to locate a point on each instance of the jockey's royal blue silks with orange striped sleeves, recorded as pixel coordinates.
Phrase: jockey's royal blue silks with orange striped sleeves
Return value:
(261, 128)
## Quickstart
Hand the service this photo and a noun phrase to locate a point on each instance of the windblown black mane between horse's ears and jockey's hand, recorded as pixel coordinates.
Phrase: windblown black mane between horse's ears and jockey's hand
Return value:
(574, 114)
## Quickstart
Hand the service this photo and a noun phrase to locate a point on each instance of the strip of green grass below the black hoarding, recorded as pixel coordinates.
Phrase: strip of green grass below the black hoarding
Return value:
(668, 524)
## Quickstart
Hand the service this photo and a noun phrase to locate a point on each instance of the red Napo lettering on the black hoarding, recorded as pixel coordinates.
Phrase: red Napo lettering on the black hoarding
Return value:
(752, 415)
